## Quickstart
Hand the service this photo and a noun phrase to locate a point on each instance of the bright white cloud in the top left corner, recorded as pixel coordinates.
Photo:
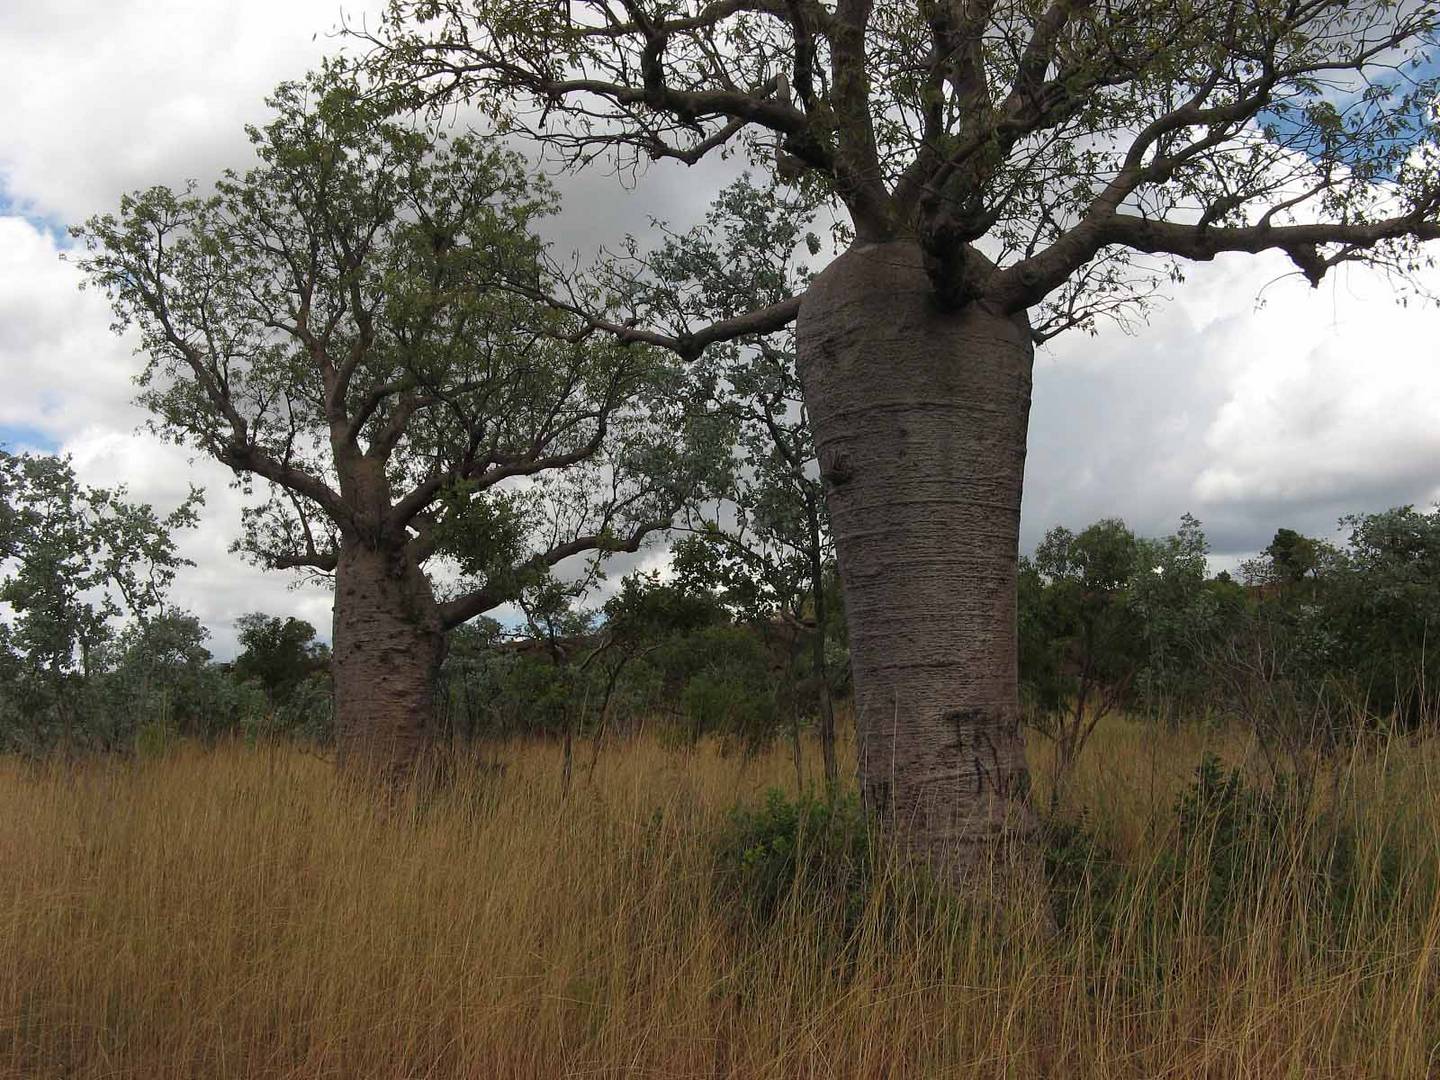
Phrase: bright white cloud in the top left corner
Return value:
(158, 94)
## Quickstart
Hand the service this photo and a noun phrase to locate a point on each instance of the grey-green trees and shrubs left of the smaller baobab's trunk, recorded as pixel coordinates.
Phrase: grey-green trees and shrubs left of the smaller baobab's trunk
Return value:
(91, 654)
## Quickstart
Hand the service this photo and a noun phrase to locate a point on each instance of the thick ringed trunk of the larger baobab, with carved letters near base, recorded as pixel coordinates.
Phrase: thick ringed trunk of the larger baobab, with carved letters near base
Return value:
(919, 420)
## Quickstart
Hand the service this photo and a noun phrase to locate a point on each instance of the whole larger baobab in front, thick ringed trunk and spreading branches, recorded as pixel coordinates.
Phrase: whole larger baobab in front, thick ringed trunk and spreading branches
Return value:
(1006, 171)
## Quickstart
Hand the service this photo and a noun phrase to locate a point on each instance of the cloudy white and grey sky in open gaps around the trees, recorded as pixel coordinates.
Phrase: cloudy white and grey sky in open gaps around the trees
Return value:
(1249, 401)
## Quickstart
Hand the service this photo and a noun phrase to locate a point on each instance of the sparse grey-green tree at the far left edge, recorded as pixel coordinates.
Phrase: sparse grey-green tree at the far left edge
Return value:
(74, 562)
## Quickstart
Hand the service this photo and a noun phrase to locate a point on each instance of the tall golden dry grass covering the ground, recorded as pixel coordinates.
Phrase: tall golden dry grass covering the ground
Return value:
(231, 912)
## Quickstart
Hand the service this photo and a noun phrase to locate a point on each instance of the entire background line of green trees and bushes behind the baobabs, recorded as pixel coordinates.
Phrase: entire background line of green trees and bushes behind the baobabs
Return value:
(1307, 644)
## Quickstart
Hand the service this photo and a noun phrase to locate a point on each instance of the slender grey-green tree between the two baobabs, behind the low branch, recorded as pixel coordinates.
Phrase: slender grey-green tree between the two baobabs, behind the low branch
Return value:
(762, 538)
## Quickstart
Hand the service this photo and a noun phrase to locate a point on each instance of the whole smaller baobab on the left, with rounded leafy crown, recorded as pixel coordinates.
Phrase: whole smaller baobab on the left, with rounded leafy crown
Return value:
(328, 323)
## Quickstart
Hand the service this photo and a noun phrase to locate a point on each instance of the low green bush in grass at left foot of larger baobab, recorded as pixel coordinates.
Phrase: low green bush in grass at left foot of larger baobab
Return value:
(813, 859)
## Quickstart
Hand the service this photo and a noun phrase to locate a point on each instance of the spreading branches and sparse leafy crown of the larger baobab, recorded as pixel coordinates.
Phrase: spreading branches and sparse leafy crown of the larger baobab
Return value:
(1061, 153)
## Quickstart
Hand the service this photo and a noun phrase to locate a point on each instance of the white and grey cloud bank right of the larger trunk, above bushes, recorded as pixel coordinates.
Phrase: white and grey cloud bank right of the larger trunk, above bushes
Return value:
(1315, 404)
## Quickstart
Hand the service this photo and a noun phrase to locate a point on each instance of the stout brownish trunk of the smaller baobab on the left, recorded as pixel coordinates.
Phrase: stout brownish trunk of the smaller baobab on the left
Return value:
(388, 650)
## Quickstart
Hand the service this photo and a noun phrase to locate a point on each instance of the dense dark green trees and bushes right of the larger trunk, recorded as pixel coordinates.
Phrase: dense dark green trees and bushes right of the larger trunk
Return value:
(1320, 639)
